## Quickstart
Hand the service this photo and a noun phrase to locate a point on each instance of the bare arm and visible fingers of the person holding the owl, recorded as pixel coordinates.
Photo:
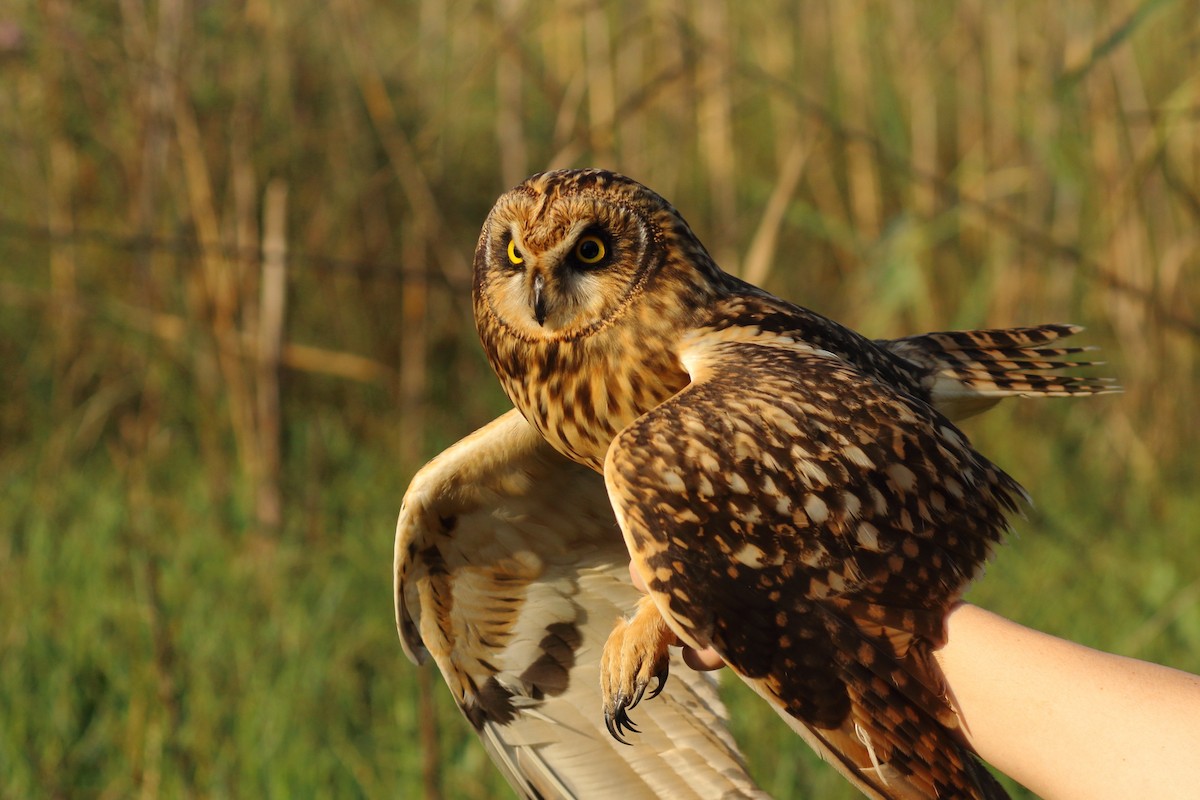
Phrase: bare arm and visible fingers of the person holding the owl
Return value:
(1064, 720)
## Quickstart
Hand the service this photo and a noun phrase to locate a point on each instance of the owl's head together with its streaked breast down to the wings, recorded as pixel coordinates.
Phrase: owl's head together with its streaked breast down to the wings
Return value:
(584, 282)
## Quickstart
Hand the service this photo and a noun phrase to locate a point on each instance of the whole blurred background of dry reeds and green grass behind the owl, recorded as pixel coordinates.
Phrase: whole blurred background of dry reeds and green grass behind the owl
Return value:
(236, 244)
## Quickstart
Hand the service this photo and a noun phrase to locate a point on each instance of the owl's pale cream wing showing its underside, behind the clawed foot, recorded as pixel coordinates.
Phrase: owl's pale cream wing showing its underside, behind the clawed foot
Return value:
(511, 573)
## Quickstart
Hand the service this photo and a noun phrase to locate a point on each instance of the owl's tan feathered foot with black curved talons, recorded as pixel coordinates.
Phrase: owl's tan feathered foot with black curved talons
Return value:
(635, 653)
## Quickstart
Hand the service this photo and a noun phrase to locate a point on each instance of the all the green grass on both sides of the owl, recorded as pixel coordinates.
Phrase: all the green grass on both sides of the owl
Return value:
(151, 648)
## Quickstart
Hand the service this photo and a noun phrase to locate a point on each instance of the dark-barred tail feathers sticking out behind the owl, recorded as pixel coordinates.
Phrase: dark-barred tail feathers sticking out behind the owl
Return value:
(968, 372)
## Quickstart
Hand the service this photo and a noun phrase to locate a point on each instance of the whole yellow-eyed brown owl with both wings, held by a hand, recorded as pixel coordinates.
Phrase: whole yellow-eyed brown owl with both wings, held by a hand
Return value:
(794, 496)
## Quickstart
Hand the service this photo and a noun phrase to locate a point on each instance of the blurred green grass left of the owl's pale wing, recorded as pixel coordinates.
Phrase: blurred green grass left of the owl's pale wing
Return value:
(154, 651)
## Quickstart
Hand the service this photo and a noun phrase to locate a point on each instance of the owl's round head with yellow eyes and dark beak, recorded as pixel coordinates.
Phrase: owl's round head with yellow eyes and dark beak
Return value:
(568, 252)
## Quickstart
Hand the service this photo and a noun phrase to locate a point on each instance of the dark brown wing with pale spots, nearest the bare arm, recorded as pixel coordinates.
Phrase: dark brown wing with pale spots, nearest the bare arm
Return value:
(814, 526)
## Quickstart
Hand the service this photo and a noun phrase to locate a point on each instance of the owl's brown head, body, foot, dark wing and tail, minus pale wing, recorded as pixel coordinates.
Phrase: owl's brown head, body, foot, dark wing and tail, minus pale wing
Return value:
(793, 494)
